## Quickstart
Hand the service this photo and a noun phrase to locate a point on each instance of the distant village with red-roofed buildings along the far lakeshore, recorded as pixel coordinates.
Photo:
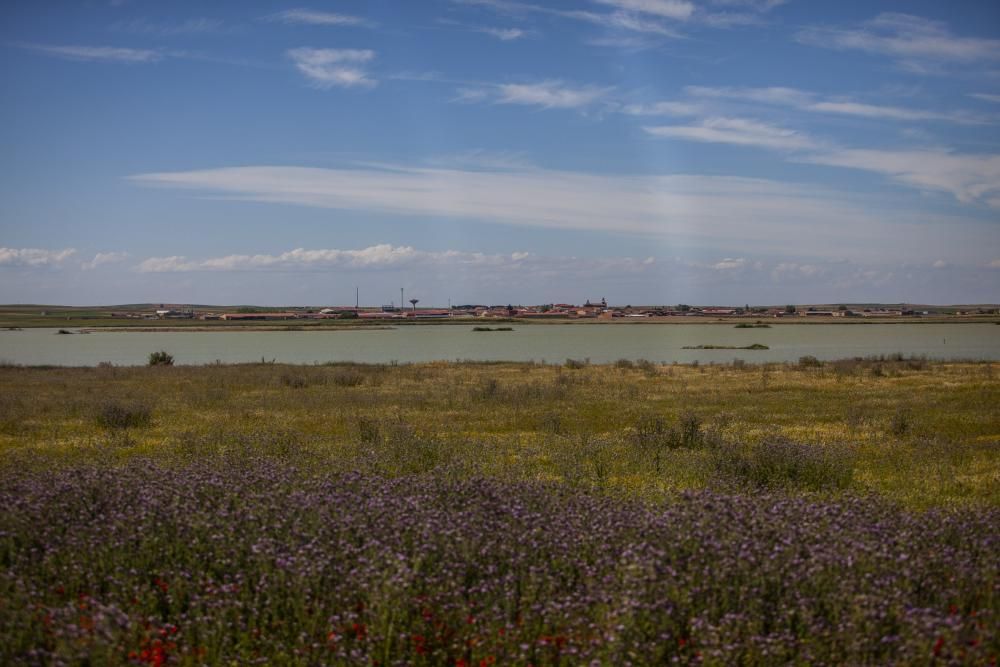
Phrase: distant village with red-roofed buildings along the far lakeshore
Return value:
(599, 310)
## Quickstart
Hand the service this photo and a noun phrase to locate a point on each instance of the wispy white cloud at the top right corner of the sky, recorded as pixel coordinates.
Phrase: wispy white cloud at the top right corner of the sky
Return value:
(905, 37)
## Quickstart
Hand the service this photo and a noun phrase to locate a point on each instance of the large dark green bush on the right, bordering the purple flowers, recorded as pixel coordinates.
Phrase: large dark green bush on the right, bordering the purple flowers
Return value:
(777, 463)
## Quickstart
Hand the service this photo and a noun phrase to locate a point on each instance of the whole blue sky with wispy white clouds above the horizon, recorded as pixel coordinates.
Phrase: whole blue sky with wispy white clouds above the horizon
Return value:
(646, 151)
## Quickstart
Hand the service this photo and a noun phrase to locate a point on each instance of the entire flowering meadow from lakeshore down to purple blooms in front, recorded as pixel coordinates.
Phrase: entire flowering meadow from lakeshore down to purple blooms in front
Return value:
(475, 514)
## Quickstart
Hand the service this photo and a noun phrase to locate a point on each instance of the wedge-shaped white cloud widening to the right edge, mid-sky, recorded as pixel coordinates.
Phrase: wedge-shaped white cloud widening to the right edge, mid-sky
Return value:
(970, 178)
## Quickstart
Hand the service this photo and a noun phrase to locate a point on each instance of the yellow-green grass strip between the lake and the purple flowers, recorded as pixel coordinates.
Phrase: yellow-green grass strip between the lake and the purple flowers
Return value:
(921, 434)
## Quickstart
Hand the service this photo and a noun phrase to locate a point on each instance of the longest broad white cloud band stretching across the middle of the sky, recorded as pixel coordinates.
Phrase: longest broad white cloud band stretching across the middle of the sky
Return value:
(735, 214)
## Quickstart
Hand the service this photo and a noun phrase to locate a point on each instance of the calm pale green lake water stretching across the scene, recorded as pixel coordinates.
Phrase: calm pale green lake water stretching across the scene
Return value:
(552, 343)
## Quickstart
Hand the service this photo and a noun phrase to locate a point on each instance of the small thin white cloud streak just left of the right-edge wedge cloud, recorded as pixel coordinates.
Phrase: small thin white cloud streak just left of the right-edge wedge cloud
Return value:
(737, 131)
